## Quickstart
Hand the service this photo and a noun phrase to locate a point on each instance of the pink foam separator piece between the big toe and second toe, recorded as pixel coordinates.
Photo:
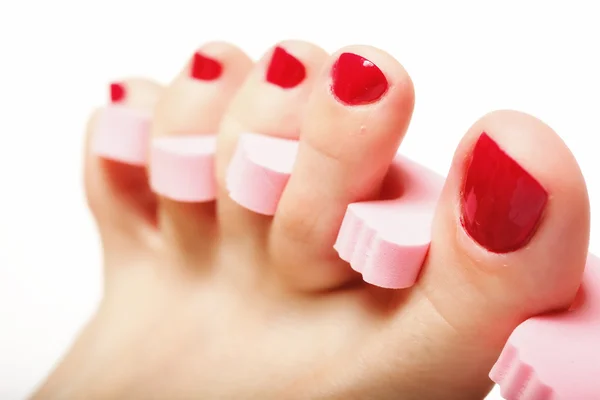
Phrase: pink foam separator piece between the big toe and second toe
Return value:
(387, 240)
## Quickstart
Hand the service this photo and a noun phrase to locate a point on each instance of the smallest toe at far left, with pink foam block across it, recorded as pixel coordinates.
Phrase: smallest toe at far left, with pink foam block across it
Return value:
(115, 176)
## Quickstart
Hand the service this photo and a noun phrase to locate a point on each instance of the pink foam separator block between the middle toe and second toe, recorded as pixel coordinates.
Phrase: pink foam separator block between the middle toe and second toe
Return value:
(259, 171)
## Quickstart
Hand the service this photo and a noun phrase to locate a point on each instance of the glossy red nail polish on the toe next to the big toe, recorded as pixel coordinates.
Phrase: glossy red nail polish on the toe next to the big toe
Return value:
(356, 80)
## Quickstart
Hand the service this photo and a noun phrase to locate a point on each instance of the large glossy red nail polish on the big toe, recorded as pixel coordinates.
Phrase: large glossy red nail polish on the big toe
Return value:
(502, 204)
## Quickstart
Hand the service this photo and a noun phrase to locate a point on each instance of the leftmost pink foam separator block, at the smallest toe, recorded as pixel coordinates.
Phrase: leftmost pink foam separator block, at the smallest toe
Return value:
(121, 134)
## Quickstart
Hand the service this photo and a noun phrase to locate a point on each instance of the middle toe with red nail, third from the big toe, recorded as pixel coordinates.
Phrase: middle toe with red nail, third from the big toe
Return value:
(270, 105)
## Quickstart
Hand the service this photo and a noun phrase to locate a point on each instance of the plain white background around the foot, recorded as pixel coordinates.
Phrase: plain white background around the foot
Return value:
(56, 58)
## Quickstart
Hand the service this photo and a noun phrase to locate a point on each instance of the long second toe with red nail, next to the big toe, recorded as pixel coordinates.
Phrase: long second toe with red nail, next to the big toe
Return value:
(353, 125)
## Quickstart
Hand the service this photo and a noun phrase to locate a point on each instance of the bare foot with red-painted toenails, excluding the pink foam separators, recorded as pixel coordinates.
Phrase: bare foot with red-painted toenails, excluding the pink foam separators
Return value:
(211, 300)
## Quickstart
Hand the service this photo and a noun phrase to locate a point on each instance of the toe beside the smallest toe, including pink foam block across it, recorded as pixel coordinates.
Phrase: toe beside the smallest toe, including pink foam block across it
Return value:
(184, 136)
